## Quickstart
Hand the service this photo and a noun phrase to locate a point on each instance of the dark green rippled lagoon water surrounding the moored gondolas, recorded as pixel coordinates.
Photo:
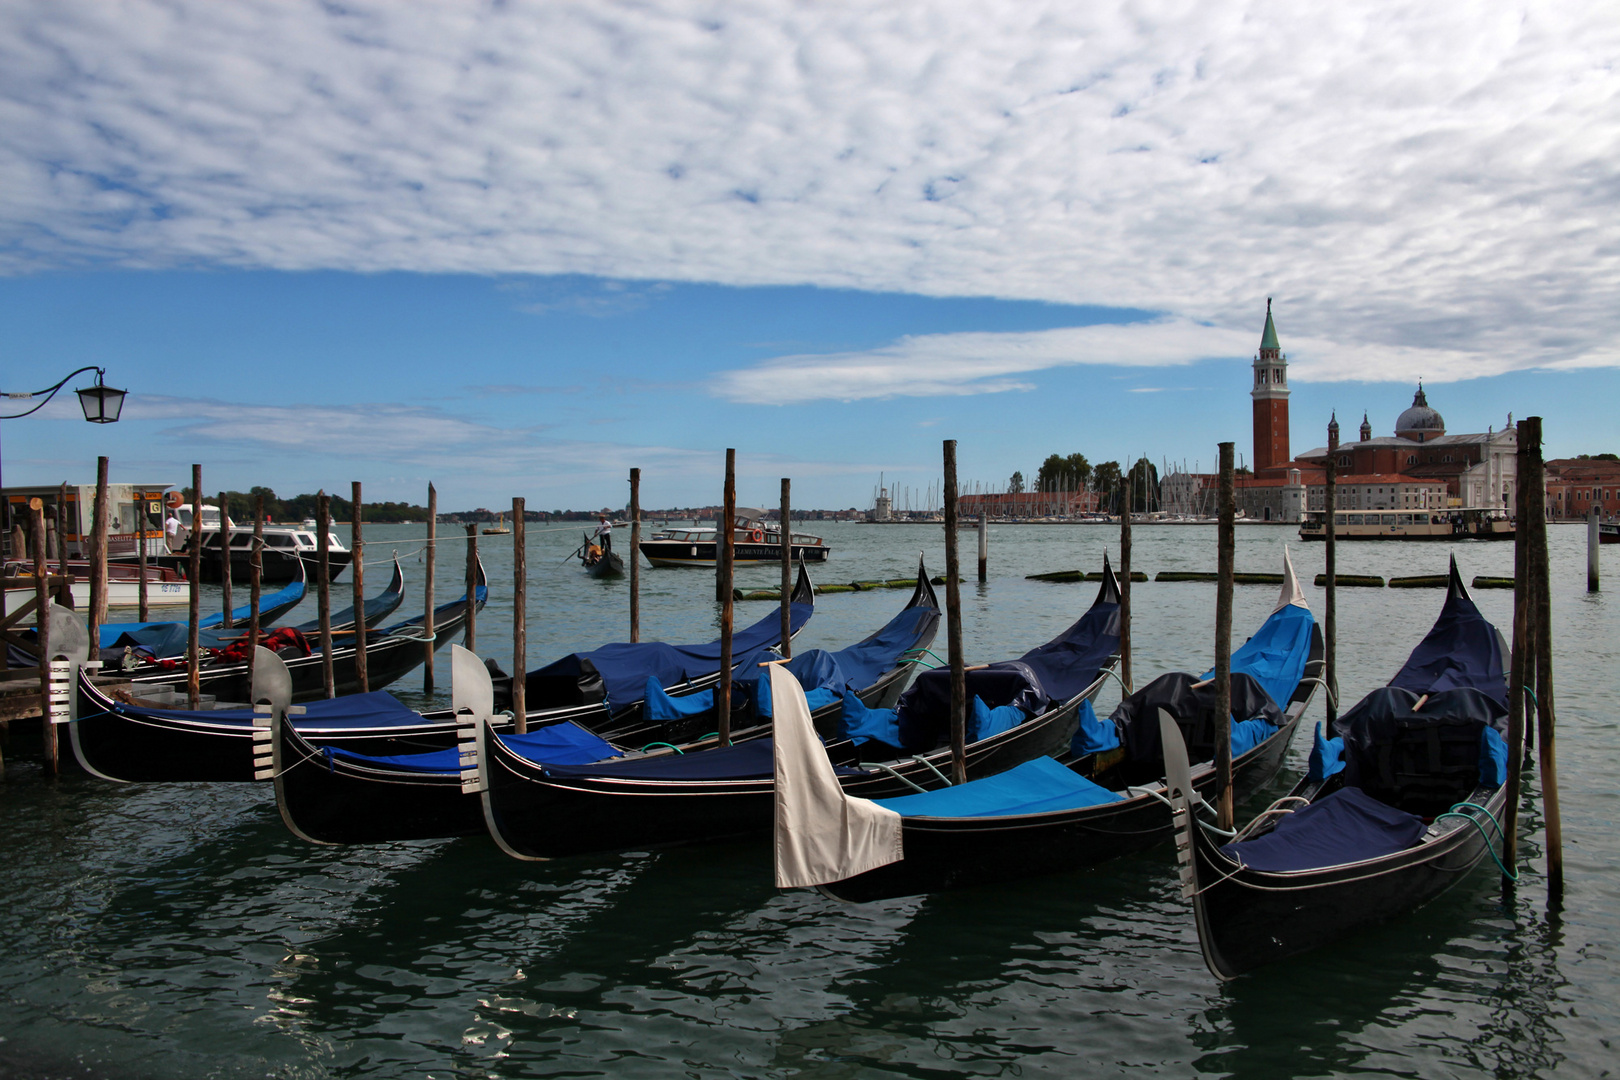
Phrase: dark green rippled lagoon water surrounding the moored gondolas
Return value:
(156, 932)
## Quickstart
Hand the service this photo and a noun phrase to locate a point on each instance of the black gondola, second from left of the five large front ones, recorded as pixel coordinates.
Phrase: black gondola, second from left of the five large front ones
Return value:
(336, 796)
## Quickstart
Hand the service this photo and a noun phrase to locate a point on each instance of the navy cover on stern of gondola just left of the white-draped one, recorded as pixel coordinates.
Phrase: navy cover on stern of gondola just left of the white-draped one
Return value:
(1054, 673)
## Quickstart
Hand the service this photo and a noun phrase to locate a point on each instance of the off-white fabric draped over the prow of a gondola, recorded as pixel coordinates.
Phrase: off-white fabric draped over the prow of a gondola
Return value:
(822, 835)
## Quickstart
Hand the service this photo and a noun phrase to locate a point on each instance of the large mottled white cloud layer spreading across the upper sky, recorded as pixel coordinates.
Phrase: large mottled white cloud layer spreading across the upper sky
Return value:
(1433, 177)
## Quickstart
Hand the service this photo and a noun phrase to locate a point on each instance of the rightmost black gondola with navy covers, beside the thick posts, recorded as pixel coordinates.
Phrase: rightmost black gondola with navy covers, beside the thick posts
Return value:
(1400, 806)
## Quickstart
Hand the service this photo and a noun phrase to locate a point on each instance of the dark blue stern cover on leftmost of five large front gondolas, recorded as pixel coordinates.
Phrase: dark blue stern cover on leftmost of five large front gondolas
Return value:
(626, 666)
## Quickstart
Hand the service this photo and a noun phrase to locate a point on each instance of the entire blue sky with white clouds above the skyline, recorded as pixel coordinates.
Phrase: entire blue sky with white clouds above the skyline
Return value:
(519, 249)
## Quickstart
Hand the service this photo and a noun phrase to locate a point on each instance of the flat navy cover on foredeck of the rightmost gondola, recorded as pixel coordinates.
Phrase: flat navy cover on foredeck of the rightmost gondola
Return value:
(1347, 827)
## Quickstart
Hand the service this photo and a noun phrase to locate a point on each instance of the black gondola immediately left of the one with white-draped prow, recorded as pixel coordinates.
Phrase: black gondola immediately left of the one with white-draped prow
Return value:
(553, 810)
